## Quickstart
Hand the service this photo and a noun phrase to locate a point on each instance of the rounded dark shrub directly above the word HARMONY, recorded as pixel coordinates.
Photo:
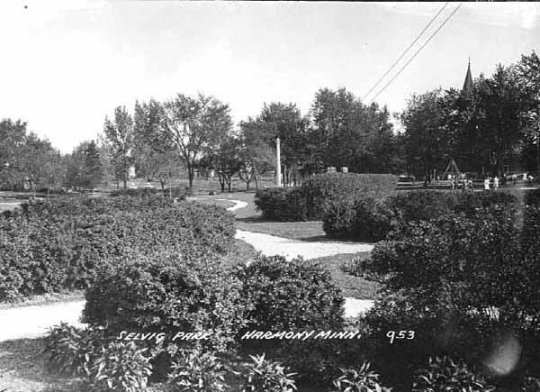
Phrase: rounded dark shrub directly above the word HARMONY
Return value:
(290, 295)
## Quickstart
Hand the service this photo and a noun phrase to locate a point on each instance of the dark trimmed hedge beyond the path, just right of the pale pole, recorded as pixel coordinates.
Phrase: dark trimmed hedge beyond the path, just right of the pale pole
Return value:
(312, 198)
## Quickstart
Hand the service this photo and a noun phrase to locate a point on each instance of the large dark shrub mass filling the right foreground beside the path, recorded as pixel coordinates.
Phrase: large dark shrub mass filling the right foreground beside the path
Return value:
(442, 278)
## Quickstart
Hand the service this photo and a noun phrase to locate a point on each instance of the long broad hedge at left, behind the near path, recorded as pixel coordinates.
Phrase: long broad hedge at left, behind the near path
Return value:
(59, 244)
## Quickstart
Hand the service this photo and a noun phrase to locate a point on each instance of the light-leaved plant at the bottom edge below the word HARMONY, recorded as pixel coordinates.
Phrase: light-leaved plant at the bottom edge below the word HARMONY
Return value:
(262, 375)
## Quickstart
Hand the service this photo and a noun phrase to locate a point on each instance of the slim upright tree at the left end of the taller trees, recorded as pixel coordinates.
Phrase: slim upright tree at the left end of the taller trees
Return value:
(119, 133)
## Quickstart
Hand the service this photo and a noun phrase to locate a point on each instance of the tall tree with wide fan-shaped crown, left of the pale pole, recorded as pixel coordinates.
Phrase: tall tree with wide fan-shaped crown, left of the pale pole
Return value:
(195, 126)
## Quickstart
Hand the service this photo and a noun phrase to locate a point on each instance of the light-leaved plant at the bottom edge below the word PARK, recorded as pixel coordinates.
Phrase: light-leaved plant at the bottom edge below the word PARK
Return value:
(196, 371)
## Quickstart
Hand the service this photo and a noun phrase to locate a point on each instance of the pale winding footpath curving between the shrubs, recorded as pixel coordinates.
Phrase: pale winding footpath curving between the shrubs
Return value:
(35, 320)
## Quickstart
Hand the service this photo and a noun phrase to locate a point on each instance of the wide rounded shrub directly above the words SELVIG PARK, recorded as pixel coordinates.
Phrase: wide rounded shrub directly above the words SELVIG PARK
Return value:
(165, 292)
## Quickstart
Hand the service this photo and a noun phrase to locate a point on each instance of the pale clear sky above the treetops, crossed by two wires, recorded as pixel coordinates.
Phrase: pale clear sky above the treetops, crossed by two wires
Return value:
(65, 65)
